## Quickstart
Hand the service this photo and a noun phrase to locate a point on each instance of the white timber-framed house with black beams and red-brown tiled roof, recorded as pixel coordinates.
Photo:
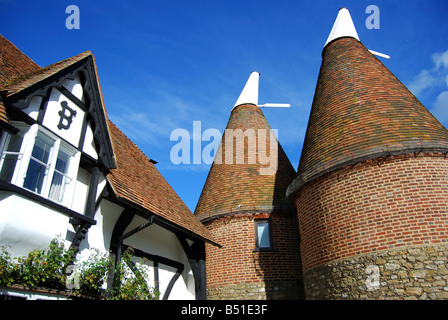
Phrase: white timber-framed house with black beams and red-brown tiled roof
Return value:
(66, 170)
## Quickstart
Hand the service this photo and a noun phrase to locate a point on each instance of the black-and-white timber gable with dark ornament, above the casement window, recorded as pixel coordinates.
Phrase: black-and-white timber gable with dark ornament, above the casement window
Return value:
(66, 99)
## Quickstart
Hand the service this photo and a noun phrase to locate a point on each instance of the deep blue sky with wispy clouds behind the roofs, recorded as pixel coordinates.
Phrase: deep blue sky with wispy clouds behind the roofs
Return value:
(164, 64)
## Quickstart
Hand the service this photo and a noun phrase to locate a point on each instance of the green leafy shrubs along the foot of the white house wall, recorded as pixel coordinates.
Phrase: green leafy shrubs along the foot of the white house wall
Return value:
(53, 268)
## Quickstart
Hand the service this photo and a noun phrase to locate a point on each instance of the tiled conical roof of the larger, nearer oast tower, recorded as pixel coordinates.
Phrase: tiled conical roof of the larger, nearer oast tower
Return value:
(361, 111)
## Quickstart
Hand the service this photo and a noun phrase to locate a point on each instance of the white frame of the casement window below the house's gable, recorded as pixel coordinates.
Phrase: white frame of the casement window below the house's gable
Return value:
(24, 156)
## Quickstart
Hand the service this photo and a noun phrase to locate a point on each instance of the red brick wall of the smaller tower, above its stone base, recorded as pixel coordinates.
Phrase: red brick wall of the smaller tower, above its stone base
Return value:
(236, 262)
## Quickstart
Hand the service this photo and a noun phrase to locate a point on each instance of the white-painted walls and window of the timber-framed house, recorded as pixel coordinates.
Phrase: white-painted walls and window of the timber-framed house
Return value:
(27, 224)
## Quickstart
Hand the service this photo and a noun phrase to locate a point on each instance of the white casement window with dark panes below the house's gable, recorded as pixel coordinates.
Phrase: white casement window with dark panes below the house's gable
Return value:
(39, 161)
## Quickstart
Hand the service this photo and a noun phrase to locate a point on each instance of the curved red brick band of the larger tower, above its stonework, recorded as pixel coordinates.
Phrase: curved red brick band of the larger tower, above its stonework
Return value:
(374, 205)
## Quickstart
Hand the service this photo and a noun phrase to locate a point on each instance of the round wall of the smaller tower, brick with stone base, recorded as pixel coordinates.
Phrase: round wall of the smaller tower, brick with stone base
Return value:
(236, 271)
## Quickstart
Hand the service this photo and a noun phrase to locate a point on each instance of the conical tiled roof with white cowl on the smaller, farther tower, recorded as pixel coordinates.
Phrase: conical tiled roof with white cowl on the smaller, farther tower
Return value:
(234, 185)
